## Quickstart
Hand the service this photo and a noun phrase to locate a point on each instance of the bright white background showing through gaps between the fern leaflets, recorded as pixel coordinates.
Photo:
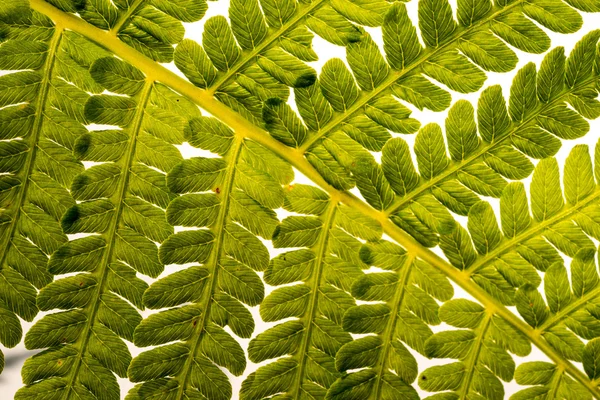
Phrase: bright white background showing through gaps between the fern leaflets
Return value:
(10, 380)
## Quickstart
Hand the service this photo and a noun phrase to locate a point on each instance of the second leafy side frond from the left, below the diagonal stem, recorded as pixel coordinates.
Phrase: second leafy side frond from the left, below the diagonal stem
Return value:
(121, 201)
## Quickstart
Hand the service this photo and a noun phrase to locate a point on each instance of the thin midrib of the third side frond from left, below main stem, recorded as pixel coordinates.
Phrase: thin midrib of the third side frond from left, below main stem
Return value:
(214, 264)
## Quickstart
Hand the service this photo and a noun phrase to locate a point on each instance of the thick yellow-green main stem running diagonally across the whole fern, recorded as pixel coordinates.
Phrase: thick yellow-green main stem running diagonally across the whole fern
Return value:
(244, 128)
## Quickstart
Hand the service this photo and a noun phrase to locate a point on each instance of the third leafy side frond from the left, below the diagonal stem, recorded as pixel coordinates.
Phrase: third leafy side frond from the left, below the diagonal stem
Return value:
(232, 197)
